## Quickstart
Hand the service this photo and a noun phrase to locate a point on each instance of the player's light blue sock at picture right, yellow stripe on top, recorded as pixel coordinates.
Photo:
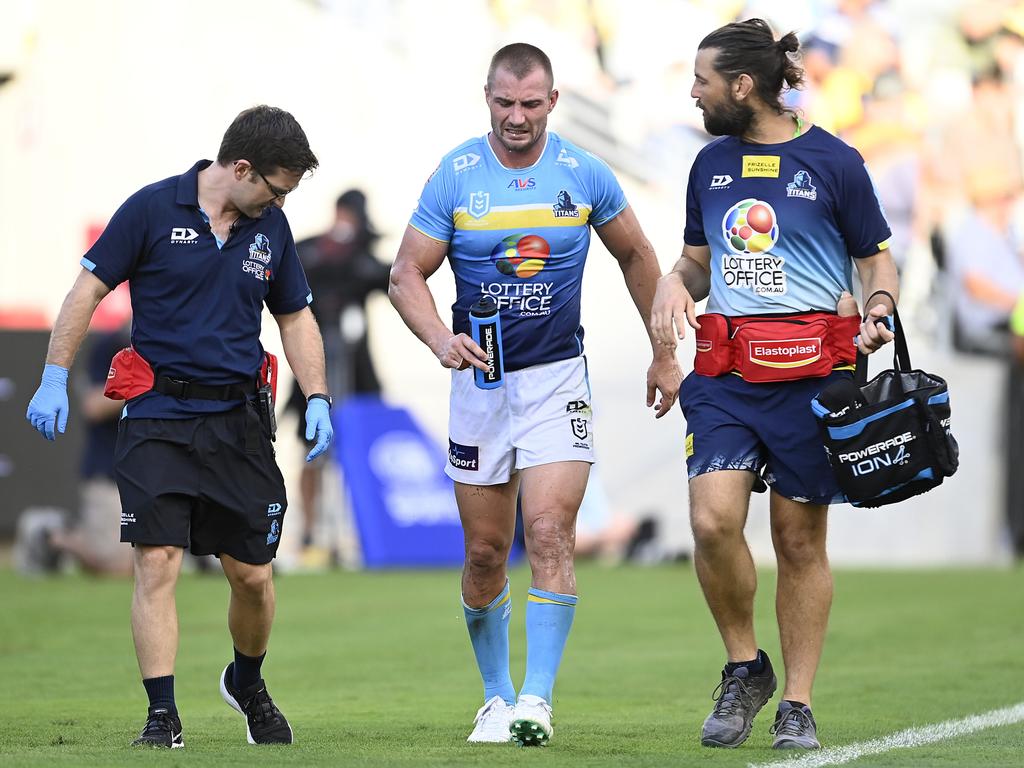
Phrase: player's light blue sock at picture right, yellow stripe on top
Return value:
(549, 619)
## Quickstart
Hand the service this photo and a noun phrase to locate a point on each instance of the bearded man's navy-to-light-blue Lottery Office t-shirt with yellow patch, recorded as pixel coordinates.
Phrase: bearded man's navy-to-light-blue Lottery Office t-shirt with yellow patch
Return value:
(783, 222)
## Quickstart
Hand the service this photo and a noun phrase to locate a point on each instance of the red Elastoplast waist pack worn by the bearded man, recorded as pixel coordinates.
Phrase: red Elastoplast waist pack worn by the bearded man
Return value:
(776, 348)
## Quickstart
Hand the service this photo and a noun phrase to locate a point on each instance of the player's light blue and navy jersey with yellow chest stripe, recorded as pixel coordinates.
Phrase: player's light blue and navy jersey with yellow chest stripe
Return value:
(521, 235)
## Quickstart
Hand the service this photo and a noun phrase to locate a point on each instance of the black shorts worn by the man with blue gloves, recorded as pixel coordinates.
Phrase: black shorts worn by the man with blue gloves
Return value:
(209, 483)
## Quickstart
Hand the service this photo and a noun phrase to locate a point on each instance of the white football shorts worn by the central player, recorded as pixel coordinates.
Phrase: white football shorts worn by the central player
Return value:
(541, 415)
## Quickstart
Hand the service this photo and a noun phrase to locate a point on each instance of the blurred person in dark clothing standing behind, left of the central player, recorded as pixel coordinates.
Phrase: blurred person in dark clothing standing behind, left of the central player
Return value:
(343, 273)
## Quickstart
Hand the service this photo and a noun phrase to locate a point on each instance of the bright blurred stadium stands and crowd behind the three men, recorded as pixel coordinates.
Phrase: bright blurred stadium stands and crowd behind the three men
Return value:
(100, 99)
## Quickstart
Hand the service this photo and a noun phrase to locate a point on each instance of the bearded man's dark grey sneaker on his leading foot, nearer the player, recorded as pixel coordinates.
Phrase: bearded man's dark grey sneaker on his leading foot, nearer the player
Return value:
(739, 698)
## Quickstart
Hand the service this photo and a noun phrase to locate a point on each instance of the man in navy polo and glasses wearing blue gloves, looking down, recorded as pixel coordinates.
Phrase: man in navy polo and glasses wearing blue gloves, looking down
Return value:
(195, 465)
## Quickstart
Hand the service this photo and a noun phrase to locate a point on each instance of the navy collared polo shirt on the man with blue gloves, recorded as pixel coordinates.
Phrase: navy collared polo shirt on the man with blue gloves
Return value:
(197, 309)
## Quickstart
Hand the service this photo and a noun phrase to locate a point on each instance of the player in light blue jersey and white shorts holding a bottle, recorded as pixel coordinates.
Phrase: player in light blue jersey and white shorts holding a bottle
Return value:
(513, 212)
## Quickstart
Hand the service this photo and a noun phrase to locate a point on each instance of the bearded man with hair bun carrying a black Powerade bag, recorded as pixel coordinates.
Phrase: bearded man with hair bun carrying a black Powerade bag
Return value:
(804, 211)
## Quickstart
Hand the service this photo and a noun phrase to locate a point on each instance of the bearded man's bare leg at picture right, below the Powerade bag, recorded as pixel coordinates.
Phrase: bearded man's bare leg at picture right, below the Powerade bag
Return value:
(804, 591)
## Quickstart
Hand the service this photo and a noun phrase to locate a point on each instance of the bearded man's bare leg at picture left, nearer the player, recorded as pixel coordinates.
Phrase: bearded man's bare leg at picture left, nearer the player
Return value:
(719, 503)
